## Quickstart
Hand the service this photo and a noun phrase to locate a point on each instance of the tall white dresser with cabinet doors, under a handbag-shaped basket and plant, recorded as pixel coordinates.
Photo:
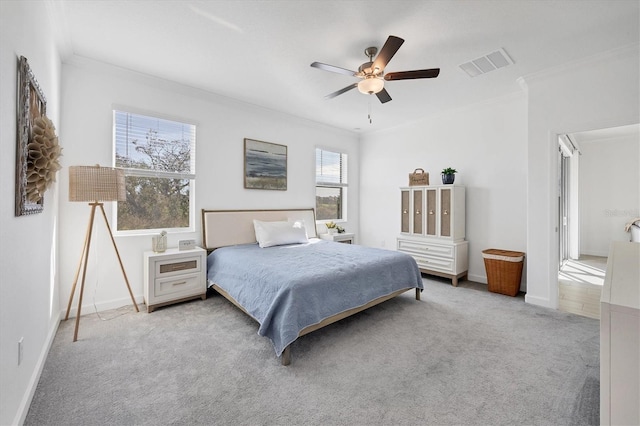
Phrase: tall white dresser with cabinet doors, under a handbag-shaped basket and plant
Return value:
(432, 229)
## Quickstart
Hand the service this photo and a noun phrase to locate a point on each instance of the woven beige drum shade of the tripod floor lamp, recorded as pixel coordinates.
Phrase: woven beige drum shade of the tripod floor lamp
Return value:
(96, 183)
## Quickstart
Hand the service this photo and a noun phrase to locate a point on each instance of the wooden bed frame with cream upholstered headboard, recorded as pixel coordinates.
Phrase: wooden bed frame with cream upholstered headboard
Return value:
(232, 227)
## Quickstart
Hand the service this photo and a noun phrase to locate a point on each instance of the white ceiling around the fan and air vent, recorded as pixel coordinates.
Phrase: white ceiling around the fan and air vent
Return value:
(259, 51)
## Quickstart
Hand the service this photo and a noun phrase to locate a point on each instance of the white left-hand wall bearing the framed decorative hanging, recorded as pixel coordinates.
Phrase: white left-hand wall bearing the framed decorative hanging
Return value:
(28, 250)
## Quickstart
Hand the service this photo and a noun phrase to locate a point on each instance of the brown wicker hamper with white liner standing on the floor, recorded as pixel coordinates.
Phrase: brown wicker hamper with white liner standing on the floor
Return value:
(504, 270)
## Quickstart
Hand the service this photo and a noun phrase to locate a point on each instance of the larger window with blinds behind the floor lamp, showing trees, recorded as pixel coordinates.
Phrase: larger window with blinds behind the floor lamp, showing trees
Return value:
(158, 157)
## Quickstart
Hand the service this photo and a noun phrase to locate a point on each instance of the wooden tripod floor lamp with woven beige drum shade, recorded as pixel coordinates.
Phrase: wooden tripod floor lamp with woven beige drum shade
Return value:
(94, 184)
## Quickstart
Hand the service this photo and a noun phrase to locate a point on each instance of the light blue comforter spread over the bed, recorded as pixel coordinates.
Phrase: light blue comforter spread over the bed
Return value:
(288, 288)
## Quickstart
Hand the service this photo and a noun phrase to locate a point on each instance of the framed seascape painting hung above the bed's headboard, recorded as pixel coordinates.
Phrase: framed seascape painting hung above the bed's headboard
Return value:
(265, 165)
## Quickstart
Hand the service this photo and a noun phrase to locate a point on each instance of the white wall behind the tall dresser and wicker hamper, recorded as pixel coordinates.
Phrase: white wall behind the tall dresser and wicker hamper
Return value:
(486, 143)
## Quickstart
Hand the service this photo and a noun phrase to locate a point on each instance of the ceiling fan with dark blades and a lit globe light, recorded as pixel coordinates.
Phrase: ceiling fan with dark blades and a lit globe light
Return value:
(372, 73)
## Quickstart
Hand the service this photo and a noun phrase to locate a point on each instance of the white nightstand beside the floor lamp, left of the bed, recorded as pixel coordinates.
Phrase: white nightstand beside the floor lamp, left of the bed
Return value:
(174, 276)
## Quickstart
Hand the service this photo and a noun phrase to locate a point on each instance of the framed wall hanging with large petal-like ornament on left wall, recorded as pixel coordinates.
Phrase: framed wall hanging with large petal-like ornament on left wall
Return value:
(38, 150)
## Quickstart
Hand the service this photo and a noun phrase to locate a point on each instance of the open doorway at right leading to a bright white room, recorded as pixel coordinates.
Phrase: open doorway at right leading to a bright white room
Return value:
(593, 207)
